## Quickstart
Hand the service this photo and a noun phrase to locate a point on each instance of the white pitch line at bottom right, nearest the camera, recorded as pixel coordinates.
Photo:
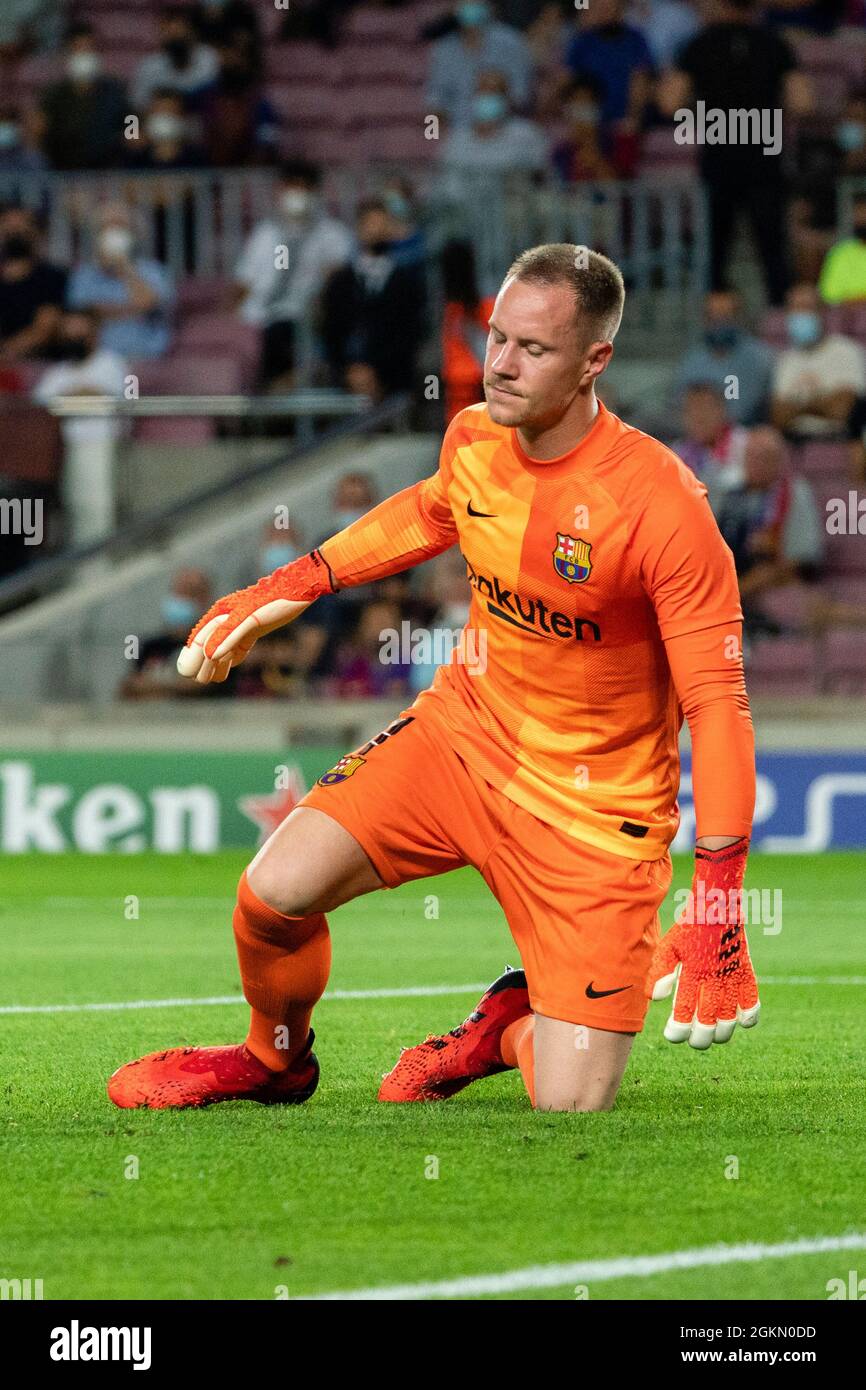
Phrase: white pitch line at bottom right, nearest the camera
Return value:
(593, 1271)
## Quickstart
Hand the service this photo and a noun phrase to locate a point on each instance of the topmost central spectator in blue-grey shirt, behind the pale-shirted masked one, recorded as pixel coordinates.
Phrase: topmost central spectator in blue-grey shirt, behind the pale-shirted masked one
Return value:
(479, 45)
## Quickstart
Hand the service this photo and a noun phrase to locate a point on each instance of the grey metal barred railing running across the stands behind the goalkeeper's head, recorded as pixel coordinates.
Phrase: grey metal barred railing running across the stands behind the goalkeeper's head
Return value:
(197, 222)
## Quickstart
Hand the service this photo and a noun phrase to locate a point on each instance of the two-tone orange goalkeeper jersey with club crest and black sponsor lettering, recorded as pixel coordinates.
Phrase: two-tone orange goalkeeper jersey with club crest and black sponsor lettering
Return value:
(580, 569)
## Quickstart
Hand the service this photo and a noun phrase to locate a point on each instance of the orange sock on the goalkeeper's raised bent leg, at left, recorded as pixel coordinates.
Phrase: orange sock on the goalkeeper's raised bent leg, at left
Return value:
(284, 967)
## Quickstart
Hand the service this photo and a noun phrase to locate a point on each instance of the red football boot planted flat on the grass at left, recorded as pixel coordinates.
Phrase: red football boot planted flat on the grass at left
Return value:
(194, 1077)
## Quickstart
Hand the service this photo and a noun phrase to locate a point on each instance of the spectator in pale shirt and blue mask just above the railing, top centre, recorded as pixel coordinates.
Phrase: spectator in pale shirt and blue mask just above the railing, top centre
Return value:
(496, 141)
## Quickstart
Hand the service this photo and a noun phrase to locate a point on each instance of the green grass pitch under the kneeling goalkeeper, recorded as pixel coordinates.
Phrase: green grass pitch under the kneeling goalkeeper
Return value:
(244, 1202)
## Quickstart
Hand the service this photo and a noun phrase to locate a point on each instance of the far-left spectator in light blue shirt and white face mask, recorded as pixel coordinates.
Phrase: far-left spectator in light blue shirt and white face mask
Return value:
(134, 295)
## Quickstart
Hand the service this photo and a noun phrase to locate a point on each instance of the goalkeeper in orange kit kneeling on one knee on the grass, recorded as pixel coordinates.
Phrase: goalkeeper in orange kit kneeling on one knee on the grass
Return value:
(604, 612)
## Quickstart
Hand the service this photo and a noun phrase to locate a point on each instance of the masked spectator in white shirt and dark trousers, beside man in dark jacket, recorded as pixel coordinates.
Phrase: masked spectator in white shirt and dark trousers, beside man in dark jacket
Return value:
(284, 266)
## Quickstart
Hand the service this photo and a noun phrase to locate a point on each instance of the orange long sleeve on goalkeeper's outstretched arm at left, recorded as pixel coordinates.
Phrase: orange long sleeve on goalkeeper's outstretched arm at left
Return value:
(405, 530)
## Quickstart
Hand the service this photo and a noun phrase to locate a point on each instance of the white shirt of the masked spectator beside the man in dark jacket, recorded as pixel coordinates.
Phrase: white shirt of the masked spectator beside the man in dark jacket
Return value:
(283, 295)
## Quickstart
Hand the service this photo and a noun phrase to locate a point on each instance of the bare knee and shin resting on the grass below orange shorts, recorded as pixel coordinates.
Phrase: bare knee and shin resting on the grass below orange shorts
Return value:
(578, 1068)
